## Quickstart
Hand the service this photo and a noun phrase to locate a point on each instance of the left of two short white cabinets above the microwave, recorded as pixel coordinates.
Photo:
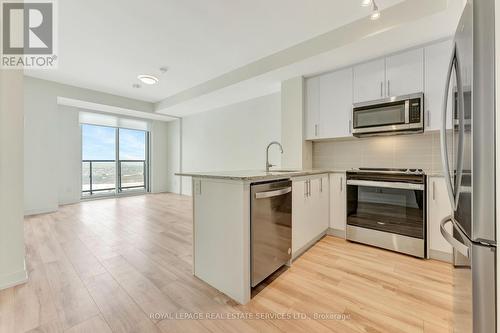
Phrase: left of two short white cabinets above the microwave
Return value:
(369, 79)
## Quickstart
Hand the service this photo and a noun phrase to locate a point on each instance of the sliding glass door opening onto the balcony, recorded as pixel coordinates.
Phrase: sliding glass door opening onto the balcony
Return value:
(114, 160)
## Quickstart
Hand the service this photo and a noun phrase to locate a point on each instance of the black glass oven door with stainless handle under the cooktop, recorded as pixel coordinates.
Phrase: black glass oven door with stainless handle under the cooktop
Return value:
(390, 207)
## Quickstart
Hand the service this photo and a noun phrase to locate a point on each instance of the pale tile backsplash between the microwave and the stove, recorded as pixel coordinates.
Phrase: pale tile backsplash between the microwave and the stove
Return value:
(398, 151)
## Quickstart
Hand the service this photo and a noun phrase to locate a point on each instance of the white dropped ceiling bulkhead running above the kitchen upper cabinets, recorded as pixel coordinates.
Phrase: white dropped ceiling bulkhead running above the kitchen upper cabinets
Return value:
(384, 38)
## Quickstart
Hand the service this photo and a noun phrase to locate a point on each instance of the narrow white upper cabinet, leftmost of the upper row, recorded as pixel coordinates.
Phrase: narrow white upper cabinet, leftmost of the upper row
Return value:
(312, 108)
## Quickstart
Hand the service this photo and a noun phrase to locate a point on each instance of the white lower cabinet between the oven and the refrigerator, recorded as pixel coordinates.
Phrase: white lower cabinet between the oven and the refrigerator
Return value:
(438, 208)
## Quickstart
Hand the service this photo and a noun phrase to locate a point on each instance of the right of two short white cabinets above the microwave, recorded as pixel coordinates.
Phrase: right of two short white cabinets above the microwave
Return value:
(405, 73)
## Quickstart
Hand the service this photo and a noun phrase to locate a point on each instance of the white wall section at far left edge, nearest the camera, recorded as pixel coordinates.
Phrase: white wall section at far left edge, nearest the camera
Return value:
(12, 266)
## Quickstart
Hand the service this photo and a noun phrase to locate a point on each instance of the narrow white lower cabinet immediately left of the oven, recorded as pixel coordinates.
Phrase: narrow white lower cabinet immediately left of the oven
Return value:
(338, 203)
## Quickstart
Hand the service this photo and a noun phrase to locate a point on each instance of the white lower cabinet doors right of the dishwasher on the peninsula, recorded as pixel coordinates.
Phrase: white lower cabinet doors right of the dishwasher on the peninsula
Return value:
(310, 210)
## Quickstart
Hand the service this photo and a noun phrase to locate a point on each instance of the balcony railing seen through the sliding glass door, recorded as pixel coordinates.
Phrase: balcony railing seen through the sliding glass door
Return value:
(101, 176)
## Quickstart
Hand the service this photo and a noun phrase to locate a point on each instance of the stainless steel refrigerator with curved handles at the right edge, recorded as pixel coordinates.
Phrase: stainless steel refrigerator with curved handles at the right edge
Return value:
(468, 152)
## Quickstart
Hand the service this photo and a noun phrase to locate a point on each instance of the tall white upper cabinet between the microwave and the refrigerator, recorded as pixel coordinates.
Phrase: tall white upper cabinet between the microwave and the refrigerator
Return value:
(437, 58)
